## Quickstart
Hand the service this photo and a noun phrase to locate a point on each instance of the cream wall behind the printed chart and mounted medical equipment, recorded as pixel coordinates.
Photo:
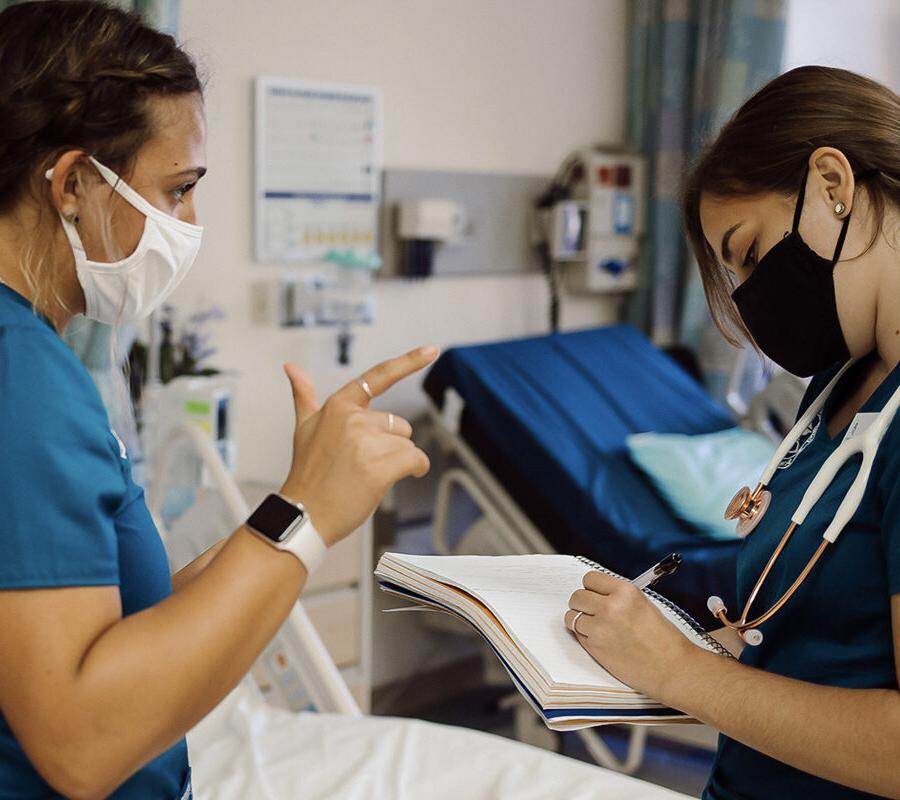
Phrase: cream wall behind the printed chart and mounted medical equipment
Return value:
(469, 85)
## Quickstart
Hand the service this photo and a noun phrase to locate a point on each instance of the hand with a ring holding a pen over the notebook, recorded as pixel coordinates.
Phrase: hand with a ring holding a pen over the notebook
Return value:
(626, 634)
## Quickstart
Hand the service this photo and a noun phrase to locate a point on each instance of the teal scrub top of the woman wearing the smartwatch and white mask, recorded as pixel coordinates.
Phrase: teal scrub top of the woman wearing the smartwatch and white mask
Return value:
(70, 514)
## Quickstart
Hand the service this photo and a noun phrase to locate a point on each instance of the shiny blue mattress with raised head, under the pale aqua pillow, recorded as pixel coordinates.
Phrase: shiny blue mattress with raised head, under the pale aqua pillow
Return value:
(549, 416)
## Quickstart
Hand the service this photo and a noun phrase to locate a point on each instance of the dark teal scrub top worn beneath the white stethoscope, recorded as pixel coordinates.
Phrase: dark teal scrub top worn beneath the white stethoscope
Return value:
(836, 630)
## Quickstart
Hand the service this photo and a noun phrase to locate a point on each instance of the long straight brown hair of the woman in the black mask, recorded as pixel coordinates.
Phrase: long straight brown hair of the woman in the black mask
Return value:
(765, 146)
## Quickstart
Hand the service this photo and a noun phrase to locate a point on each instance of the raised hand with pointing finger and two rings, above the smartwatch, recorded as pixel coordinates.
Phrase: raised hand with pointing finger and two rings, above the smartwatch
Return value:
(345, 456)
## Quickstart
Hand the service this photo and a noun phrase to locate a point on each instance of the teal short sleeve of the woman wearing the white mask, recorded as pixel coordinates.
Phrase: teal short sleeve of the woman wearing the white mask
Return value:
(60, 480)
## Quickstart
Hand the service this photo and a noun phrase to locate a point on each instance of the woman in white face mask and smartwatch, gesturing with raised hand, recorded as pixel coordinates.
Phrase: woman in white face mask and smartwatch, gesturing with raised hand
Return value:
(105, 659)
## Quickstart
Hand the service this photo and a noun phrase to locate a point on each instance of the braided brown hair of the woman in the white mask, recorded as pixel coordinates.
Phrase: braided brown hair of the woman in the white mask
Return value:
(76, 75)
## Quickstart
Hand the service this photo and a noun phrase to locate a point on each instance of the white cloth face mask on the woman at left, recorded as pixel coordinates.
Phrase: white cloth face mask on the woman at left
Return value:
(127, 290)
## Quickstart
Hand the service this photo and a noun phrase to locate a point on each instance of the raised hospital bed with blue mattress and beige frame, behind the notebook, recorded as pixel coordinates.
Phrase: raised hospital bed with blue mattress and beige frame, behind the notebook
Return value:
(535, 431)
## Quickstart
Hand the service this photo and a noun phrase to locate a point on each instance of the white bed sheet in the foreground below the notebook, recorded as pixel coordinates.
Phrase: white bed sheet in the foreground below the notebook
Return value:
(247, 750)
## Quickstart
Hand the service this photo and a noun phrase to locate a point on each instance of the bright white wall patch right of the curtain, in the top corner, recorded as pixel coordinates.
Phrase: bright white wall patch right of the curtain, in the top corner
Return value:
(861, 36)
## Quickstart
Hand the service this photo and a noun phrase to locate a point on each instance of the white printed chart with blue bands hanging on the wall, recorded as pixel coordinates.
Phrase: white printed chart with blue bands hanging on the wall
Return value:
(318, 168)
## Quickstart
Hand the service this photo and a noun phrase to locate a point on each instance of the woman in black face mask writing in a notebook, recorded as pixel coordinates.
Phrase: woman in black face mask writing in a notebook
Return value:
(793, 214)
